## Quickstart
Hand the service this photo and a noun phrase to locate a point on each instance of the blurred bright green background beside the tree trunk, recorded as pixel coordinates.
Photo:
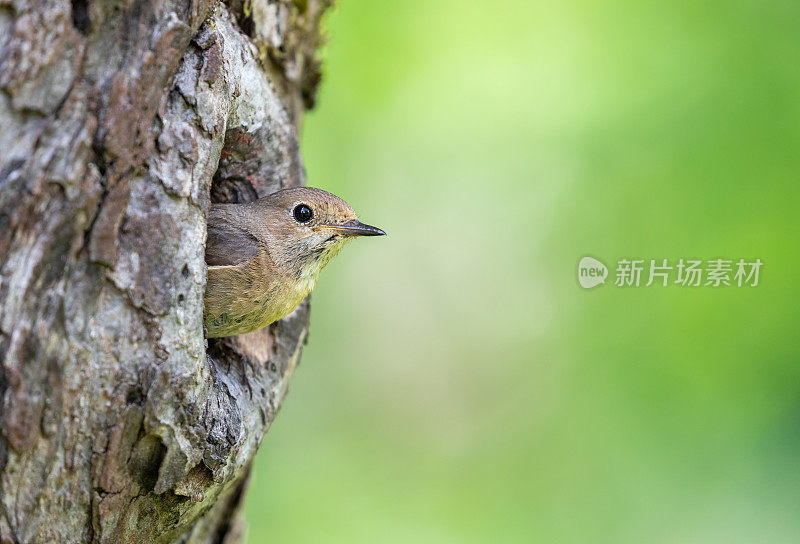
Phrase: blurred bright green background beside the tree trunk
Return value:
(458, 385)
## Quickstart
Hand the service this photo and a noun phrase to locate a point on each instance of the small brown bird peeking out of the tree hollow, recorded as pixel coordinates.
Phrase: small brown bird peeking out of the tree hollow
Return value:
(264, 257)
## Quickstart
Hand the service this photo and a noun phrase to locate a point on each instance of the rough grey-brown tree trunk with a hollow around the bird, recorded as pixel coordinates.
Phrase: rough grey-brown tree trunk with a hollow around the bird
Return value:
(120, 121)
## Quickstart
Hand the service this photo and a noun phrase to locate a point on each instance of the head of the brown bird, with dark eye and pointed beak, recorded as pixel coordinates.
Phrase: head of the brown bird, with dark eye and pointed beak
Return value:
(308, 227)
